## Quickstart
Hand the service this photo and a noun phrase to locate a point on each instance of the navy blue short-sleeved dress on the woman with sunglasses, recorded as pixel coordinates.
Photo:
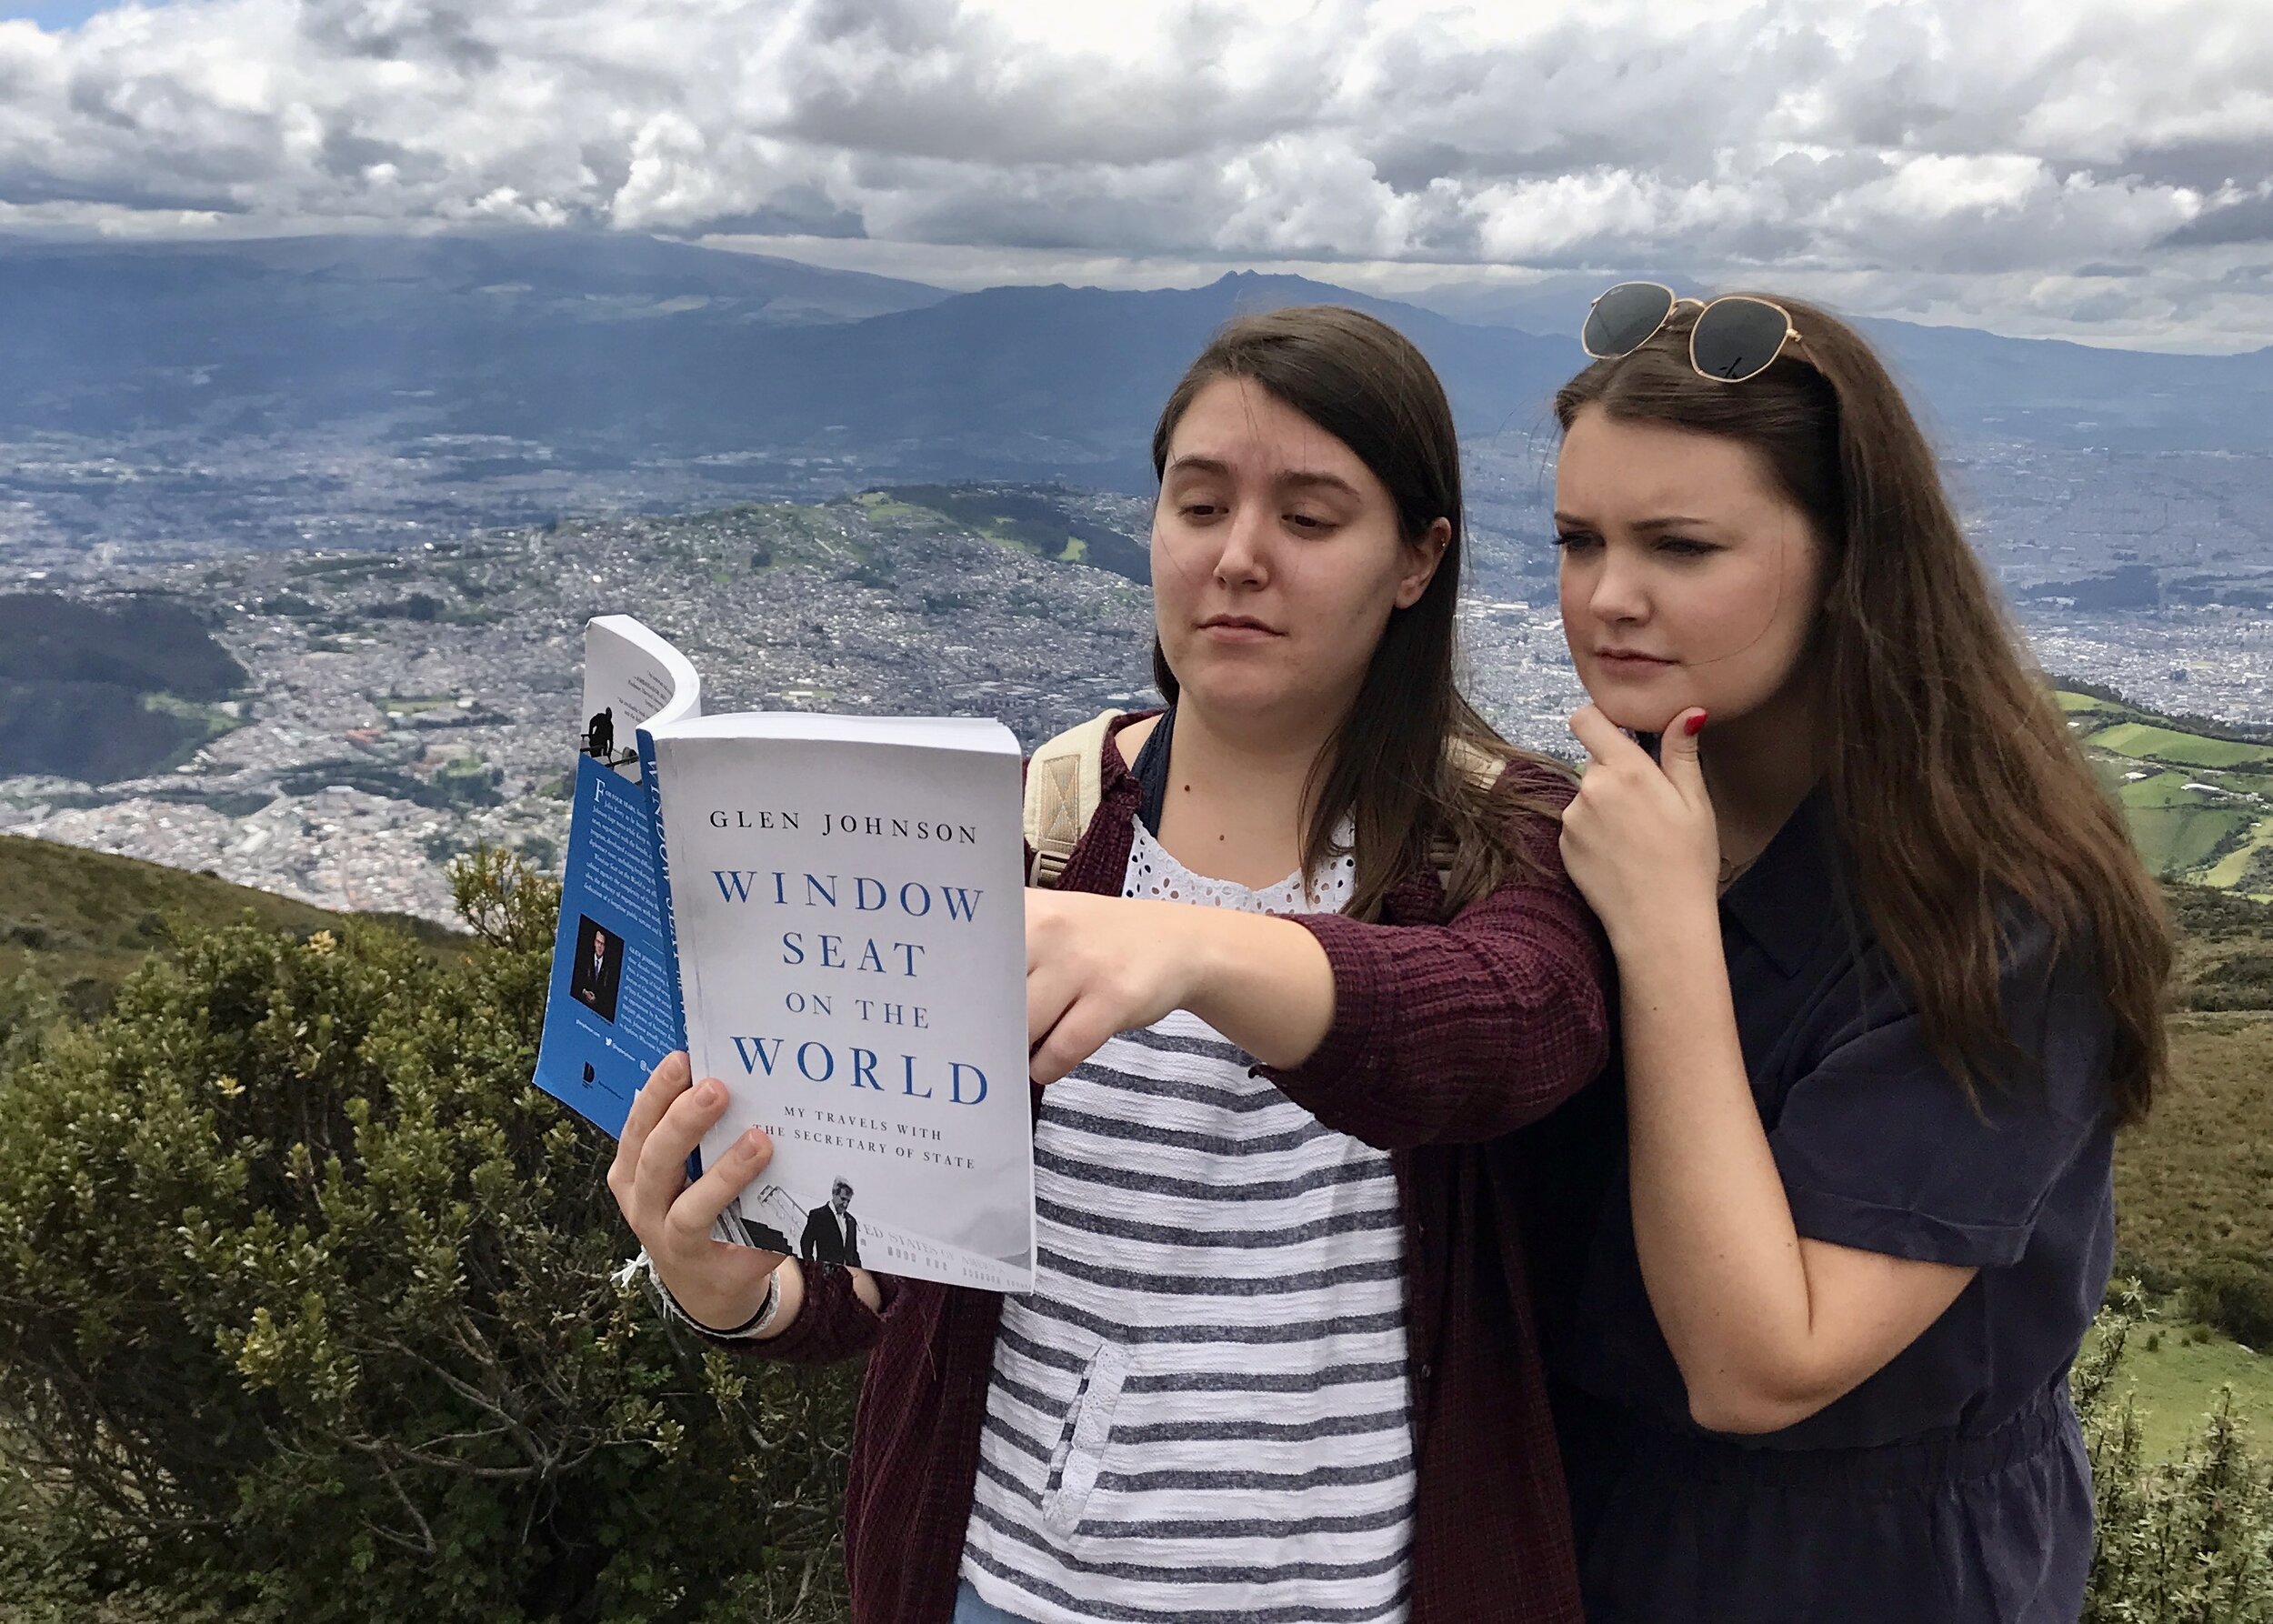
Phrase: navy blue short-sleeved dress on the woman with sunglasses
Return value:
(1954, 1484)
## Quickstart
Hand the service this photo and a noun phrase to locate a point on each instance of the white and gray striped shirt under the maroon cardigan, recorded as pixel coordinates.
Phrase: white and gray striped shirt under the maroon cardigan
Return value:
(1204, 1407)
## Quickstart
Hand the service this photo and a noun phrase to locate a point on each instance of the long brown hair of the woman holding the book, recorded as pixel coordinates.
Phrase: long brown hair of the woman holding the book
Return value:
(1408, 761)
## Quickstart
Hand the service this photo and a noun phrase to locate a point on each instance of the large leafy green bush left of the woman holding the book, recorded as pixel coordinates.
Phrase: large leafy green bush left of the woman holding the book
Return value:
(310, 1307)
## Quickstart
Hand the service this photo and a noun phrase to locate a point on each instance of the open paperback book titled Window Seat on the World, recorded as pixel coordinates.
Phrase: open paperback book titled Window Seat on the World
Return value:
(829, 915)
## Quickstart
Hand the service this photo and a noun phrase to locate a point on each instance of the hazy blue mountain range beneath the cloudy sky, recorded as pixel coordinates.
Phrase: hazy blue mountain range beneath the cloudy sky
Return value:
(610, 347)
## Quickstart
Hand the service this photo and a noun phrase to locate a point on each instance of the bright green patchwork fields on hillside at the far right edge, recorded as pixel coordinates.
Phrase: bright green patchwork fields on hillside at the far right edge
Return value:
(2201, 806)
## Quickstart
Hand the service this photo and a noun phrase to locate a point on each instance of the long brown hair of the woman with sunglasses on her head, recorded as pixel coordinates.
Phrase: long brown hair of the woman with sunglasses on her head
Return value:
(1956, 784)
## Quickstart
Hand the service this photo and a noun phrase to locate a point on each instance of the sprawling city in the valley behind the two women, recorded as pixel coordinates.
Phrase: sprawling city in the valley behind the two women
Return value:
(406, 704)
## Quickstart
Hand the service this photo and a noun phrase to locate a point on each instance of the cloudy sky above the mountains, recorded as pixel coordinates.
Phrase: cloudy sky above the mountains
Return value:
(2095, 169)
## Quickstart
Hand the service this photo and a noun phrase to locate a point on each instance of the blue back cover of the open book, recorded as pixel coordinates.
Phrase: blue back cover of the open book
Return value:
(615, 1002)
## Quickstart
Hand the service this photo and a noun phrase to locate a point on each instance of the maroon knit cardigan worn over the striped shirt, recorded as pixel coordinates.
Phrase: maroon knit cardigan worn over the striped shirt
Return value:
(1447, 1036)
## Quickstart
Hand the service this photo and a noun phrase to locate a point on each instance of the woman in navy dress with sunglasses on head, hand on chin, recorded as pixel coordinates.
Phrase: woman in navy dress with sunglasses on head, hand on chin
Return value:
(1890, 979)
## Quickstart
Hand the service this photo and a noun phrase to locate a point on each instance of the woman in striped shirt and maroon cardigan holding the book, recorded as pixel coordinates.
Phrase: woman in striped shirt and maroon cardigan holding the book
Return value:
(1313, 952)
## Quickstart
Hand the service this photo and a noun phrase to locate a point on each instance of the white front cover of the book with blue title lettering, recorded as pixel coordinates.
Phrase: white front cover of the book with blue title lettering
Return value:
(851, 925)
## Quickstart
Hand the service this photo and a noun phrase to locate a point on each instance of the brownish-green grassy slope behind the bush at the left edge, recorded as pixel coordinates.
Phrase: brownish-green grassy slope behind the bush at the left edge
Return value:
(85, 920)
